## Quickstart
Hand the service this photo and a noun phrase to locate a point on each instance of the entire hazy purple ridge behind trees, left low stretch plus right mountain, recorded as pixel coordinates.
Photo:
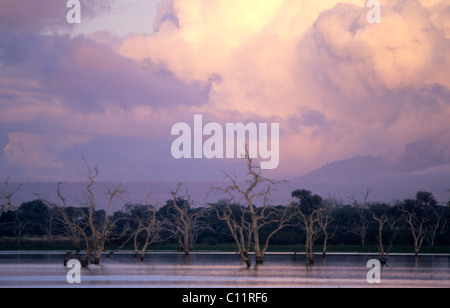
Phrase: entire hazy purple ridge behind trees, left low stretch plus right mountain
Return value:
(340, 179)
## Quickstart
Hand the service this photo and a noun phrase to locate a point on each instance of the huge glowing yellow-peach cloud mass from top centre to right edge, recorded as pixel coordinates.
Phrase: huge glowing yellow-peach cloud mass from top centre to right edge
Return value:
(336, 81)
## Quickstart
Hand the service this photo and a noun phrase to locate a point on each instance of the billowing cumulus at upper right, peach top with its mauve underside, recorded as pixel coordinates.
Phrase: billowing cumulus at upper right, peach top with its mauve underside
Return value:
(387, 83)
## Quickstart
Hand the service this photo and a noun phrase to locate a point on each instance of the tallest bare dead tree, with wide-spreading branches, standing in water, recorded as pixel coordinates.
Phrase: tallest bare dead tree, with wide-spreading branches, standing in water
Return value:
(246, 222)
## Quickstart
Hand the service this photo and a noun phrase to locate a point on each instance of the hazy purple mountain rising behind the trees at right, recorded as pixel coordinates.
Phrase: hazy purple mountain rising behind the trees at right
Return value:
(386, 180)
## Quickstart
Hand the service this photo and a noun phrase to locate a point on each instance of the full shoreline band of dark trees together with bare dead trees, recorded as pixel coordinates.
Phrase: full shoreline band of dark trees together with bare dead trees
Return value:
(244, 218)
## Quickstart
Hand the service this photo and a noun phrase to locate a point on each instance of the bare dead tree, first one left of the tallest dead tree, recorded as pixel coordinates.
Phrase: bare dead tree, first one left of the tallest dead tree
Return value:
(182, 222)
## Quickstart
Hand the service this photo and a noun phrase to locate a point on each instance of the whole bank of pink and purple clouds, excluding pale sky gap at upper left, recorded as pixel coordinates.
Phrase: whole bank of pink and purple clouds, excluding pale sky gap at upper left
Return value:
(339, 87)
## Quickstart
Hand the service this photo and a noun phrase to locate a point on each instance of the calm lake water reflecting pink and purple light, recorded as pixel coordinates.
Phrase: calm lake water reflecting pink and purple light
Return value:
(223, 270)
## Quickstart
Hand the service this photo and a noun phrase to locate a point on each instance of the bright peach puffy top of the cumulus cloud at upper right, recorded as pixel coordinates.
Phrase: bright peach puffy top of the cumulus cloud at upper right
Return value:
(405, 51)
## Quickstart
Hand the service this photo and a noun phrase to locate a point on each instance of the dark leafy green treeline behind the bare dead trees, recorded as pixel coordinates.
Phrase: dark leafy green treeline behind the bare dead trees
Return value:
(349, 225)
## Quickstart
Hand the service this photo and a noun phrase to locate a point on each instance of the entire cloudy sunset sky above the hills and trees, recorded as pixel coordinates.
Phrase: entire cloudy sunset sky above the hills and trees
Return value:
(110, 89)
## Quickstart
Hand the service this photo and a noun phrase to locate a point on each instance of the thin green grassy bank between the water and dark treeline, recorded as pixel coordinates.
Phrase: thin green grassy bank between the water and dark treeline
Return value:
(10, 244)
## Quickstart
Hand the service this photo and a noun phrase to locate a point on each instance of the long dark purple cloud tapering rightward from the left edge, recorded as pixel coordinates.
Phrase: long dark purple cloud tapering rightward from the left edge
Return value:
(86, 75)
